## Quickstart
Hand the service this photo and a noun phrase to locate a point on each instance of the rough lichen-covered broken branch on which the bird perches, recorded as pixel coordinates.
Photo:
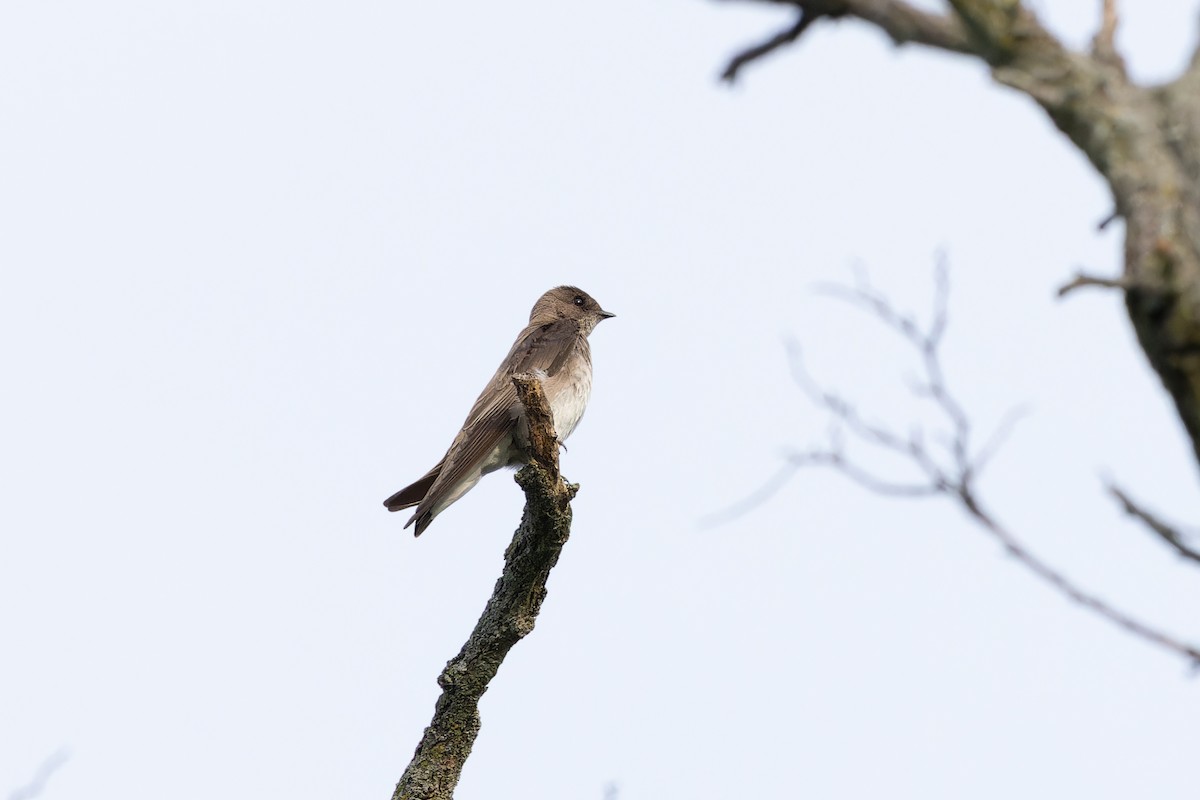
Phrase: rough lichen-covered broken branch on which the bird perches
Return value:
(509, 616)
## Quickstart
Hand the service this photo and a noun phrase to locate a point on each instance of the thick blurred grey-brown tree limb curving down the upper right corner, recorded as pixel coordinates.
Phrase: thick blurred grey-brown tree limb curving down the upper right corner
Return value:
(1144, 141)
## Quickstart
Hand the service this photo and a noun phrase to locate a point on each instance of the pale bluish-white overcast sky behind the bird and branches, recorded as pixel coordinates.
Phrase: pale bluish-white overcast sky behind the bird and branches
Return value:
(261, 257)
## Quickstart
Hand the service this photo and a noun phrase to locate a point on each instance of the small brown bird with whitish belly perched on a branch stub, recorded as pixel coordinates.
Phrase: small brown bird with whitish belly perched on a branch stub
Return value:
(555, 347)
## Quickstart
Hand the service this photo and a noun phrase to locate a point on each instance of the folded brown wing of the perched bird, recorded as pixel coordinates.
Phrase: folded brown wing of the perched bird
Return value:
(544, 348)
